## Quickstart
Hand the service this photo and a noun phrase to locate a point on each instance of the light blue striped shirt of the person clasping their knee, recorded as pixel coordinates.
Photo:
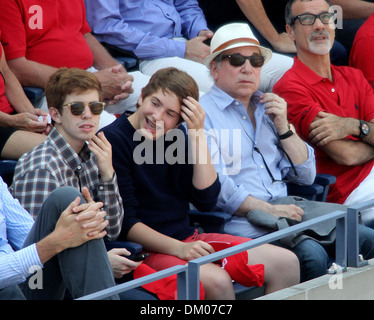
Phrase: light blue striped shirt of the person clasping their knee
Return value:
(15, 225)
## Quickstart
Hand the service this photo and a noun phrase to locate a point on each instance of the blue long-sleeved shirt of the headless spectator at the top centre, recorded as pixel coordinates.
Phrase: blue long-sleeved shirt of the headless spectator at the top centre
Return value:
(146, 27)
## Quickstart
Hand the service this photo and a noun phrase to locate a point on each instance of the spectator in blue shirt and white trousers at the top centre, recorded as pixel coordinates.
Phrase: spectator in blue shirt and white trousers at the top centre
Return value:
(162, 34)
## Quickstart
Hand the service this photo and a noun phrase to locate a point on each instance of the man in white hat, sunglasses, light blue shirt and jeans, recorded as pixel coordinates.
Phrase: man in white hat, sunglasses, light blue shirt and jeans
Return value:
(255, 150)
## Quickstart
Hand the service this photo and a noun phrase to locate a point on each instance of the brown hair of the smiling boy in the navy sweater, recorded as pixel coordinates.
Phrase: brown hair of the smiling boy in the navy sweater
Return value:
(173, 80)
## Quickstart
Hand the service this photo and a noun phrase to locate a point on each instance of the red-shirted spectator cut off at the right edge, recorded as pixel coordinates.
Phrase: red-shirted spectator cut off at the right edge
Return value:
(362, 52)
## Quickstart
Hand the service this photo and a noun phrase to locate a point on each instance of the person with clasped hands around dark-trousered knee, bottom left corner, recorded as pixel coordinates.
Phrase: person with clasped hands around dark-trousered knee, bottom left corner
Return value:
(65, 241)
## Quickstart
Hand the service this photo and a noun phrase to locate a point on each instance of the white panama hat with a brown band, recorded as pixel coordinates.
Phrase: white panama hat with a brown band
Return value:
(234, 35)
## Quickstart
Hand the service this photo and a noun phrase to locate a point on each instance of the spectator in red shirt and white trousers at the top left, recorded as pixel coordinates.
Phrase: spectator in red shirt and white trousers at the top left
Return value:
(39, 37)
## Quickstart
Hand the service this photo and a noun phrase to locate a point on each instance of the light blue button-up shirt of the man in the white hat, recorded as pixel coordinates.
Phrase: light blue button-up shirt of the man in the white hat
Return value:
(231, 139)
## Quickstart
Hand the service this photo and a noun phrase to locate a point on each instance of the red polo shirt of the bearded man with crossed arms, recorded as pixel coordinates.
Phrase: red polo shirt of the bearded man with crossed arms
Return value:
(350, 95)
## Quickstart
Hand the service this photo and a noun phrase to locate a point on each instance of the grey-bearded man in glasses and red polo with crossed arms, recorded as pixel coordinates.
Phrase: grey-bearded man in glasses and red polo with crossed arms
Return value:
(331, 107)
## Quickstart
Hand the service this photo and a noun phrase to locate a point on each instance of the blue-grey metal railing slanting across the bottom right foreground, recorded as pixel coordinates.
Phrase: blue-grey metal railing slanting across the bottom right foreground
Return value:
(188, 275)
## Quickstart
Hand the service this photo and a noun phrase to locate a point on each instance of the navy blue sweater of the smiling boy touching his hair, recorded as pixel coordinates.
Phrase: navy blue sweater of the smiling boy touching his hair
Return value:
(156, 194)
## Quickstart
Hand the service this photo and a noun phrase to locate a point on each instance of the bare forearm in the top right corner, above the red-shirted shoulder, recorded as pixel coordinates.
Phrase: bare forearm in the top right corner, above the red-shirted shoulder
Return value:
(355, 9)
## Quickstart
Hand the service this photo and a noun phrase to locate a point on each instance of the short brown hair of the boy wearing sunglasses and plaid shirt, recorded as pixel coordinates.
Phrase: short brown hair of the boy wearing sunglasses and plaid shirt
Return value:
(67, 81)
